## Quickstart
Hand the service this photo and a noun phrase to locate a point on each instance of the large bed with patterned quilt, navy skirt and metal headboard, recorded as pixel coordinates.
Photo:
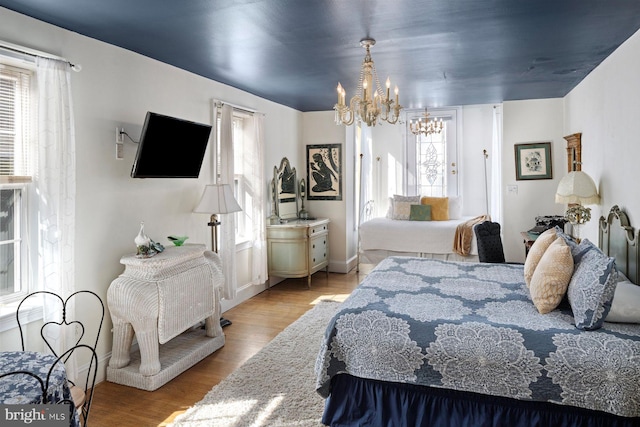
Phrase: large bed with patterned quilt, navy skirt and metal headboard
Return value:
(442, 343)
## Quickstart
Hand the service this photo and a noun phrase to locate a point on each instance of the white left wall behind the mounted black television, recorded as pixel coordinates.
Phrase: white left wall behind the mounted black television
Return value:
(116, 88)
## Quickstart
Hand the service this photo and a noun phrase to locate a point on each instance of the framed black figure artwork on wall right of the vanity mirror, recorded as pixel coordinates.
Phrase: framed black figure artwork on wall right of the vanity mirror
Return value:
(324, 172)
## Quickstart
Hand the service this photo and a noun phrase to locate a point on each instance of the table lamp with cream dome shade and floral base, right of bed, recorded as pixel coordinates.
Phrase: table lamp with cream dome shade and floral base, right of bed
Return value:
(577, 188)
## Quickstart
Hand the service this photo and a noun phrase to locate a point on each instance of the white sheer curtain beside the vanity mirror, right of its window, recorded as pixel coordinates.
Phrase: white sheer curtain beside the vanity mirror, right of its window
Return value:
(255, 178)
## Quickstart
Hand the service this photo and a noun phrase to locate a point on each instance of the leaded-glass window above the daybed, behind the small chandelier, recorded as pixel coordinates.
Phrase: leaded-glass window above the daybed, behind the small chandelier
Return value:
(432, 159)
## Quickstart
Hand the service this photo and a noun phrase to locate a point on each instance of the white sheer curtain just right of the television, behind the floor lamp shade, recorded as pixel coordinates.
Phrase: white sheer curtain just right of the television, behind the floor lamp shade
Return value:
(228, 227)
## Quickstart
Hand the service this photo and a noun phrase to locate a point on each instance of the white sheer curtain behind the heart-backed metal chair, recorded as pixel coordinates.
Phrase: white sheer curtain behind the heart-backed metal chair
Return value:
(55, 185)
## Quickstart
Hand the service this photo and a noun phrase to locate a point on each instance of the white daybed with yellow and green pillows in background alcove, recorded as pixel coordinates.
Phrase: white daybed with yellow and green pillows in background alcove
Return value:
(419, 226)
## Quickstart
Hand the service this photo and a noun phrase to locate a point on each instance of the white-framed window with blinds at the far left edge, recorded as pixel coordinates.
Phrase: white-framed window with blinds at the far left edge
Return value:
(16, 166)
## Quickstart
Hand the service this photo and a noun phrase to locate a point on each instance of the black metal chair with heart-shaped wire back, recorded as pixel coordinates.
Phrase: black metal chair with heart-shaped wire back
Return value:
(84, 347)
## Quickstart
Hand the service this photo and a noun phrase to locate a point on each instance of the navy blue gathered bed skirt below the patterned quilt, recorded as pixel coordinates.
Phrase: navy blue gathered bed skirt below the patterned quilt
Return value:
(360, 402)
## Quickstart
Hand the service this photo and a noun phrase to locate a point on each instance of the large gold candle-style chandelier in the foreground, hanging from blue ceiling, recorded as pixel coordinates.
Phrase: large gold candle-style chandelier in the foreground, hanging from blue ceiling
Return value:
(371, 104)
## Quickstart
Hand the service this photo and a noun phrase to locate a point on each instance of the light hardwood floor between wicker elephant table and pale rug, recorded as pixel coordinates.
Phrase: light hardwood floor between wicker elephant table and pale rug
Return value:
(255, 323)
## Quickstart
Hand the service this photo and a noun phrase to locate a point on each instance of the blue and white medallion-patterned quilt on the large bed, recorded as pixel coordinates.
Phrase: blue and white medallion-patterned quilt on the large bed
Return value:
(472, 327)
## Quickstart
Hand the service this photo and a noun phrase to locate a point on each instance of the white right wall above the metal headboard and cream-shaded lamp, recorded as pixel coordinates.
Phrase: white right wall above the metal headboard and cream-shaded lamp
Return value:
(605, 107)
